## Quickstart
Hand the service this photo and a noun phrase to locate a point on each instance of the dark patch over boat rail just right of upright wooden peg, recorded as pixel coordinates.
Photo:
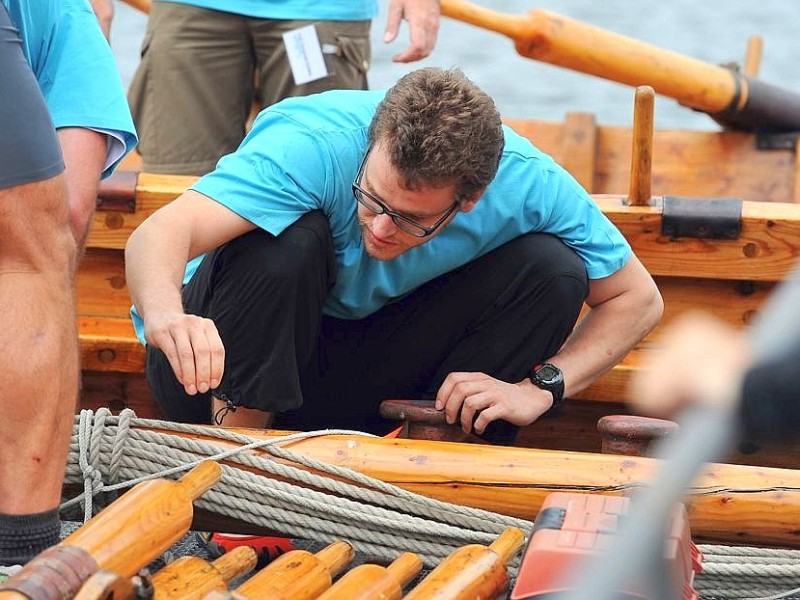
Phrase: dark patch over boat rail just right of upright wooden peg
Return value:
(703, 218)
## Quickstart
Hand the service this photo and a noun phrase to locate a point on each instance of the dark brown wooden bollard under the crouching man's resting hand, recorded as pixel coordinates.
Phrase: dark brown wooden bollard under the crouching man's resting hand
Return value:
(421, 421)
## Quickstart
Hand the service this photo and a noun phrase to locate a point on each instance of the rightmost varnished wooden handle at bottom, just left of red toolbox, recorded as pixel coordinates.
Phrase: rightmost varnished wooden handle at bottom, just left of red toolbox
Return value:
(473, 571)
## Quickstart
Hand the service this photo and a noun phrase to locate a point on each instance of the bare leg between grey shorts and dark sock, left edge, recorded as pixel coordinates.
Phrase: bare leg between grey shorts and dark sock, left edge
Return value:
(39, 361)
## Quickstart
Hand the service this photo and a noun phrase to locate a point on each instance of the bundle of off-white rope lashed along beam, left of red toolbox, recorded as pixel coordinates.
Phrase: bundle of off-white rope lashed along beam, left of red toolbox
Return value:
(380, 519)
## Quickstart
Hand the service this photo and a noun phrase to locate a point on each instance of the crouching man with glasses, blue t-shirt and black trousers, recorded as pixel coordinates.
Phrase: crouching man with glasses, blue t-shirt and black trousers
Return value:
(365, 245)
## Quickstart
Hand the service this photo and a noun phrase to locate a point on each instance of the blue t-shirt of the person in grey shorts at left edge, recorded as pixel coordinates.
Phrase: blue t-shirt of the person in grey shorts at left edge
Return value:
(76, 70)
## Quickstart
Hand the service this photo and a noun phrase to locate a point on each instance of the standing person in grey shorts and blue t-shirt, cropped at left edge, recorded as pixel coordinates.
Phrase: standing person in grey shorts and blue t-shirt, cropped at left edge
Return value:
(63, 123)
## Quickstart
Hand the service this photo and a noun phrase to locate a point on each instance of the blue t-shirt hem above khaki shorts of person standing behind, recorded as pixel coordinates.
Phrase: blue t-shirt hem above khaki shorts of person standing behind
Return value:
(308, 10)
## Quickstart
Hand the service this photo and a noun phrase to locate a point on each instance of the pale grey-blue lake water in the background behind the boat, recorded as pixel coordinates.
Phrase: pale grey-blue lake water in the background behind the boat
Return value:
(713, 31)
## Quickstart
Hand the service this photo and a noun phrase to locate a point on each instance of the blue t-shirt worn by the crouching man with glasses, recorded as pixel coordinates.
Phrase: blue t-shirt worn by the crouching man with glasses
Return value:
(302, 154)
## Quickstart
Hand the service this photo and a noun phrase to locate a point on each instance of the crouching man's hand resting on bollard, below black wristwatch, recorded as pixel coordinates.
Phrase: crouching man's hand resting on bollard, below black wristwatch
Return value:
(476, 399)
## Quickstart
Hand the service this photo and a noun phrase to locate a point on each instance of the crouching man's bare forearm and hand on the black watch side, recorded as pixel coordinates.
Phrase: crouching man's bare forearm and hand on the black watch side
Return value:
(624, 308)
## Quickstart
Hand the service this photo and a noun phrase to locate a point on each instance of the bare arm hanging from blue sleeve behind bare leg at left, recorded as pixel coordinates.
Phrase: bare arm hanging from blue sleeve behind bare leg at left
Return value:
(84, 153)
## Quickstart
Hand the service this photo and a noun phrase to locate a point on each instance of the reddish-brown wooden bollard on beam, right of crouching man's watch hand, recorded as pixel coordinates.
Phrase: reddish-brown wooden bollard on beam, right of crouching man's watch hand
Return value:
(630, 434)
